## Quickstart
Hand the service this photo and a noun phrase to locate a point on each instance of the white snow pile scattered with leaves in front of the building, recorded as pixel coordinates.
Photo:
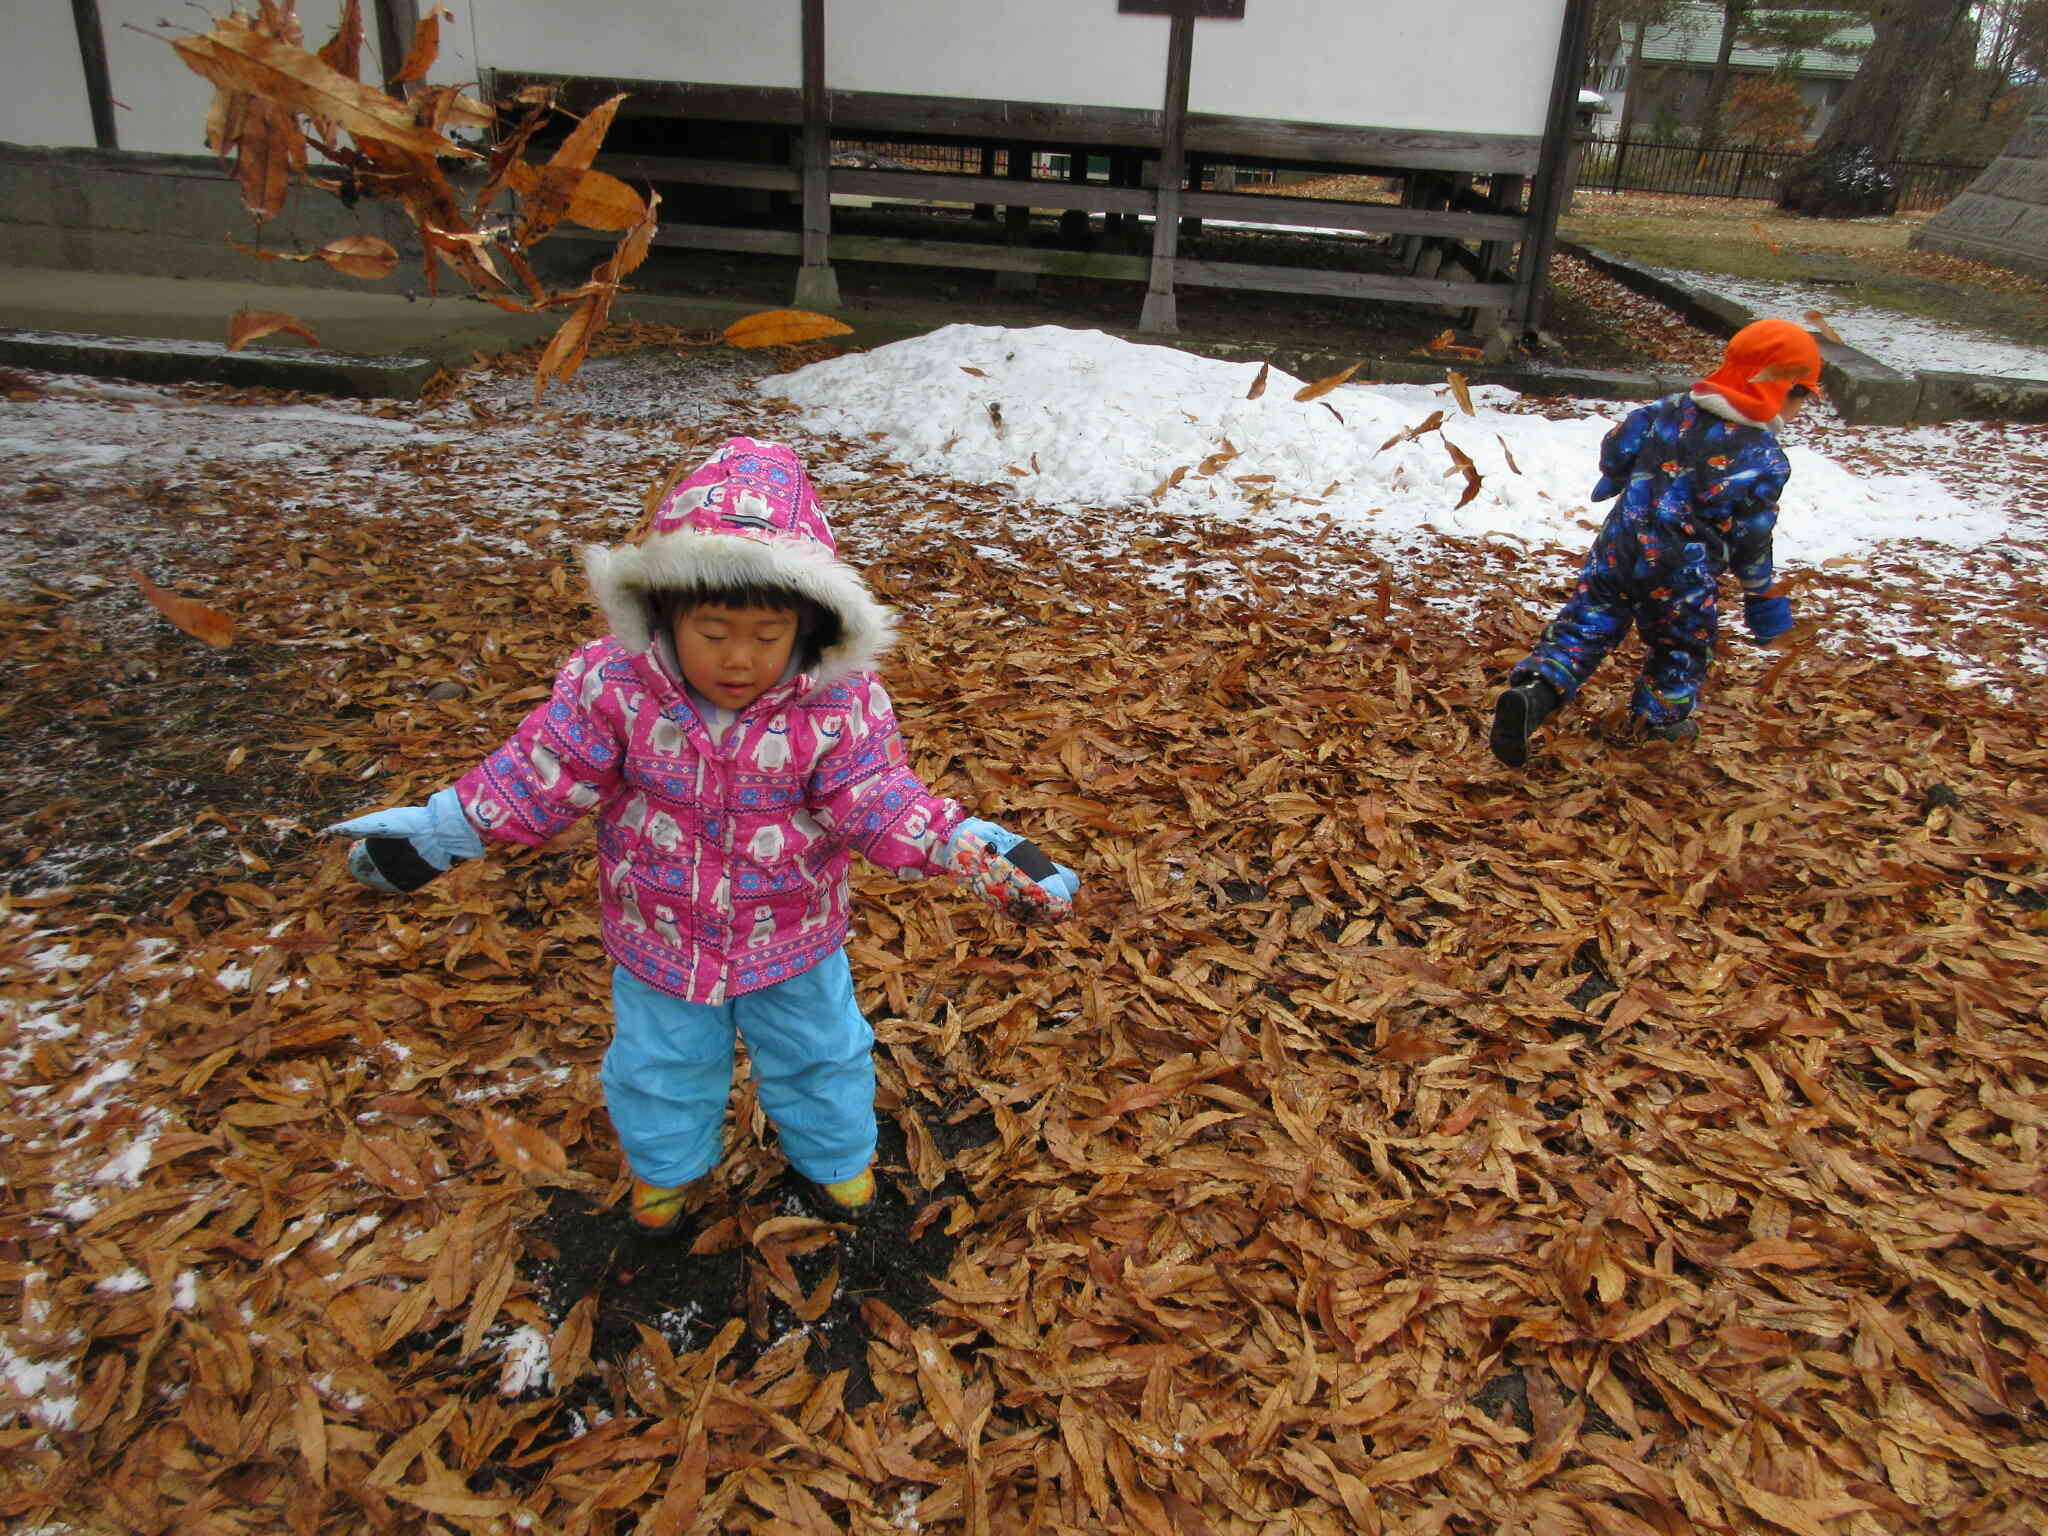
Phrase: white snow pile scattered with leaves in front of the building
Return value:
(1078, 421)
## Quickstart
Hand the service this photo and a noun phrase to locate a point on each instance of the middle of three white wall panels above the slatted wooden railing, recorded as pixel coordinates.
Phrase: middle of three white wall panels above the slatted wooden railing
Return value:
(1074, 52)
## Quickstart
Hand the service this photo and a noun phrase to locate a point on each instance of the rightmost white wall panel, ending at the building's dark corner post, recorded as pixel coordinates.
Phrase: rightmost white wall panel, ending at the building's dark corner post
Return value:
(1478, 67)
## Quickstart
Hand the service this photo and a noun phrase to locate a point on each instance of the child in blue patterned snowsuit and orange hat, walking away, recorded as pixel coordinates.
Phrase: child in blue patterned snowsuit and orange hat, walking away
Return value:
(1699, 476)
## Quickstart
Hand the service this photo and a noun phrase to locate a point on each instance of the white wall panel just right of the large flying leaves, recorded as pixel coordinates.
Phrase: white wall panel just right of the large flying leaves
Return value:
(708, 42)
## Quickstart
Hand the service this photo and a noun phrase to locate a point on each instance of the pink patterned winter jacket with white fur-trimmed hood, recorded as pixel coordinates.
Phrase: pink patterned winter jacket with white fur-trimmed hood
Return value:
(724, 863)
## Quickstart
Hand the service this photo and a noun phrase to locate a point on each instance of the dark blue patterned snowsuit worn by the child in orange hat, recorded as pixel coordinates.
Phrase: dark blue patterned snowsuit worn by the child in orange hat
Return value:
(1699, 499)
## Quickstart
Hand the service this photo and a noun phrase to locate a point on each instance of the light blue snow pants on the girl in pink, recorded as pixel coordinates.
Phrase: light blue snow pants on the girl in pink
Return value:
(671, 1070)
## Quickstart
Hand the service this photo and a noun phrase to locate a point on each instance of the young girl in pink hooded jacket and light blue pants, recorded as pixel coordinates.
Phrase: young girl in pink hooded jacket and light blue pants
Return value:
(736, 746)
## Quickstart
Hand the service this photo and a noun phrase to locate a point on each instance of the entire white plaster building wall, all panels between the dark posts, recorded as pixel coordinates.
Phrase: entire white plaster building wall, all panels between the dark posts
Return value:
(1482, 67)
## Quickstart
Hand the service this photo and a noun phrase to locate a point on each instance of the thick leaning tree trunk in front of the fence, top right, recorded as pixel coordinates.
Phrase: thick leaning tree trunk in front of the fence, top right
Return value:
(1846, 177)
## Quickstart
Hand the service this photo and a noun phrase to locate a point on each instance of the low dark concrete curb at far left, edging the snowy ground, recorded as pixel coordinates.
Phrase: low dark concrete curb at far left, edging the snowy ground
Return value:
(183, 361)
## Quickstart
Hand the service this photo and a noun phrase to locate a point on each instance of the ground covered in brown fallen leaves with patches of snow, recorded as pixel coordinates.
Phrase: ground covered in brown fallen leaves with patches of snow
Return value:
(1392, 1144)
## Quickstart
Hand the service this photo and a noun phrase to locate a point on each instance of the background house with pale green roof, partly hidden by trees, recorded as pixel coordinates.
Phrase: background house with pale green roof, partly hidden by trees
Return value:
(1678, 65)
